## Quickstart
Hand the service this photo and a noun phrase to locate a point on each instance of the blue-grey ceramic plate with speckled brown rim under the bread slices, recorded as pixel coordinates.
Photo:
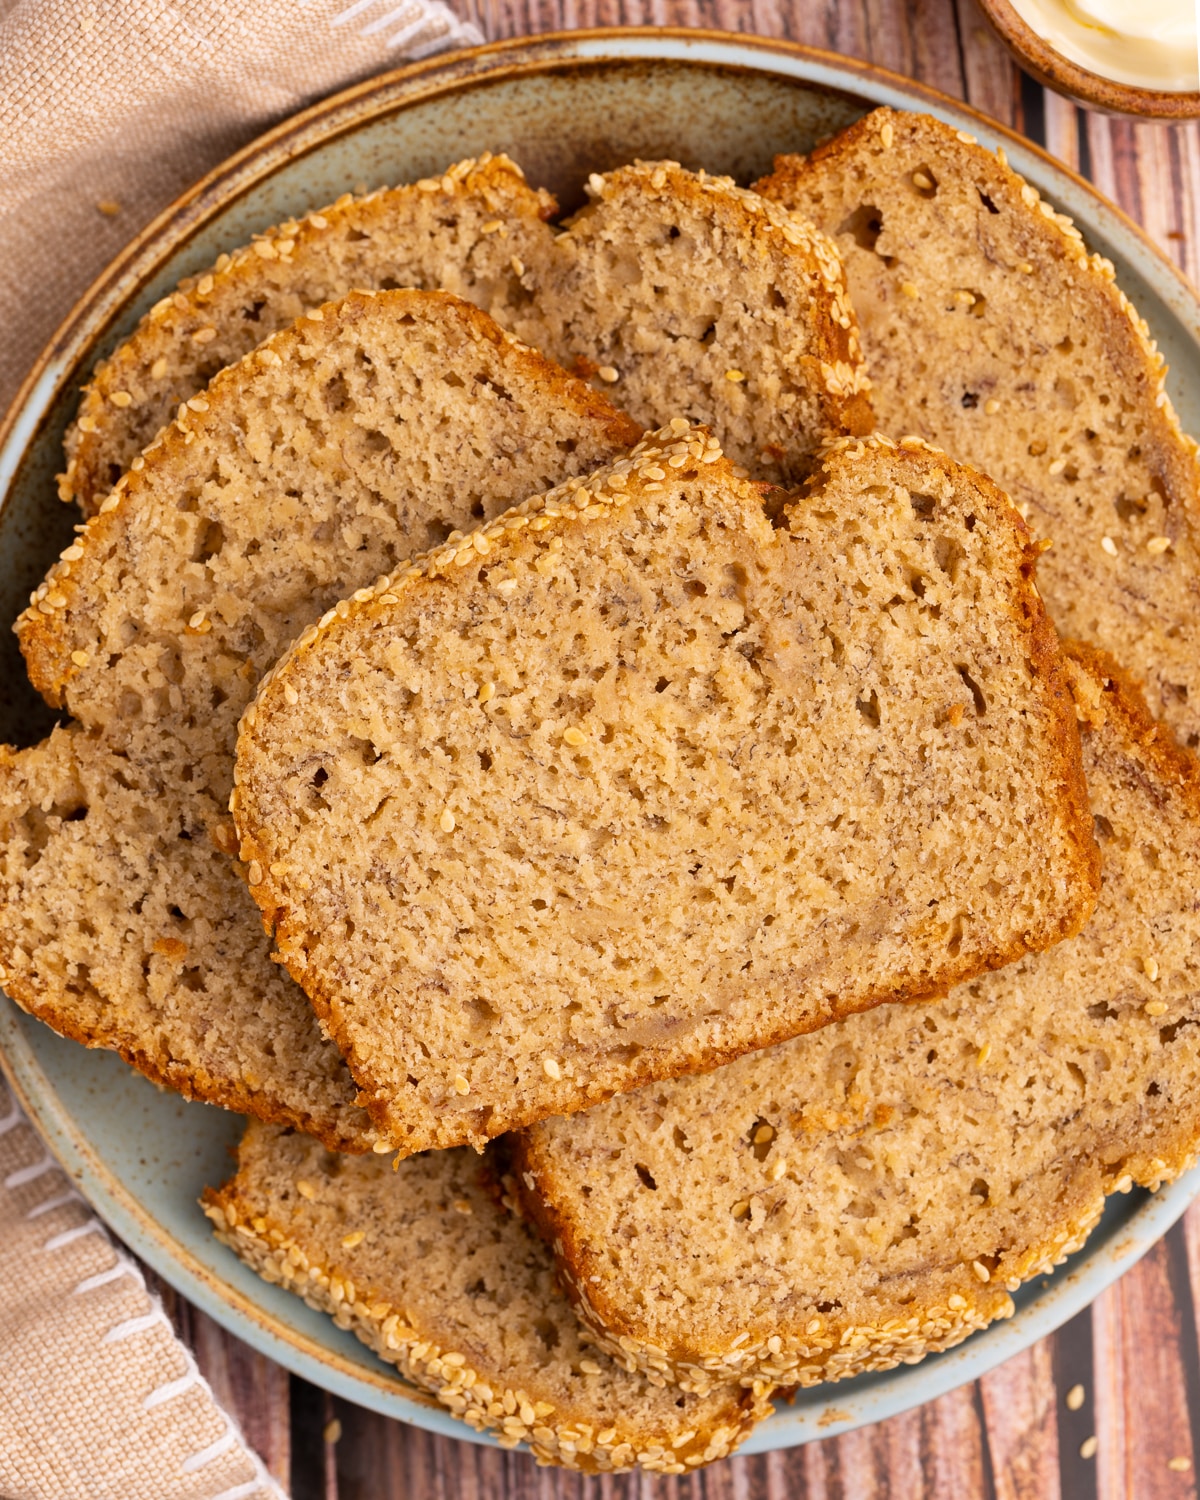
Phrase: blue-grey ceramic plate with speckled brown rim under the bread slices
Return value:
(563, 107)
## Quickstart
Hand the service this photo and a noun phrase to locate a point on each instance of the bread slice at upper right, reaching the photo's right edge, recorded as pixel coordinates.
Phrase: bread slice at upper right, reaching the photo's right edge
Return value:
(991, 332)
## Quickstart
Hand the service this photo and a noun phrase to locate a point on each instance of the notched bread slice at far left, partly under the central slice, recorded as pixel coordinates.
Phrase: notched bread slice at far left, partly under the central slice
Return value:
(344, 445)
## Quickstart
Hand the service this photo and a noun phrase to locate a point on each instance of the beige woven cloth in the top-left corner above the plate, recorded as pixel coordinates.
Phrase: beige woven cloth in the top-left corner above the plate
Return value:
(109, 109)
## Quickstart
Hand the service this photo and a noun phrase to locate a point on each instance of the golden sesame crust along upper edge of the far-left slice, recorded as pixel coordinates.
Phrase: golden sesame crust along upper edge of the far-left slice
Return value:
(46, 628)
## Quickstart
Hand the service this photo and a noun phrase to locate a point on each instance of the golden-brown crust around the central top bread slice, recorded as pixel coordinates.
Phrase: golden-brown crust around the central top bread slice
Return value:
(652, 1066)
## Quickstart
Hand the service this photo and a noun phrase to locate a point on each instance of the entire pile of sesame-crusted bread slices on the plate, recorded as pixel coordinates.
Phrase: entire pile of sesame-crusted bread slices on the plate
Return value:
(607, 794)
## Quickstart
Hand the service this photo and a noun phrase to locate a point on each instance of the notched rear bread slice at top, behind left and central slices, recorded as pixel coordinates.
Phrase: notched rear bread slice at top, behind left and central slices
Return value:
(667, 286)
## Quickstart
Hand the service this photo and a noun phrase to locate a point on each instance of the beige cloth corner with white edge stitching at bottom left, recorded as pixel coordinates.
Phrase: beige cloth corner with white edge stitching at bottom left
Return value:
(98, 1397)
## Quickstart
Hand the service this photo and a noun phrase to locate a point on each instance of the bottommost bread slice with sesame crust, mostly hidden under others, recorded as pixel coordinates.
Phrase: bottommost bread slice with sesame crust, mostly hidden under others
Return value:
(434, 1274)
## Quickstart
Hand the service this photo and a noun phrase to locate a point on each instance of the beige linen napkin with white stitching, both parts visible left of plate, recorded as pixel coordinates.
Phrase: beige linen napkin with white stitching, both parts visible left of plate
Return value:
(109, 109)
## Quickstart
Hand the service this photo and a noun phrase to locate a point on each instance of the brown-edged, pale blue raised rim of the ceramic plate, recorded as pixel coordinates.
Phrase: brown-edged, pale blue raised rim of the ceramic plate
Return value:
(91, 320)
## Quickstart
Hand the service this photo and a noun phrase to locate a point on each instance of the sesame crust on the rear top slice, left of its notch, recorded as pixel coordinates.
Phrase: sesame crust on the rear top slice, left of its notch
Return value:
(95, 439)
